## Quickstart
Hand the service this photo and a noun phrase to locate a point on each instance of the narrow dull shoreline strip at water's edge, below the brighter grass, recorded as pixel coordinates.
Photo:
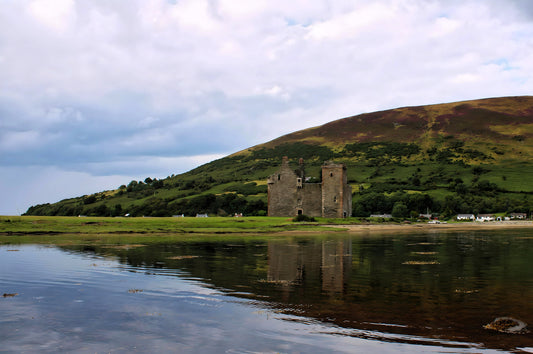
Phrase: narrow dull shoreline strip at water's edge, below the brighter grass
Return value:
(356, 230)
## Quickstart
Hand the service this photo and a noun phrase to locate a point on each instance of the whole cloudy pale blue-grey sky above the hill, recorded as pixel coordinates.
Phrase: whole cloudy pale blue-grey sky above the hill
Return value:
(96, 93)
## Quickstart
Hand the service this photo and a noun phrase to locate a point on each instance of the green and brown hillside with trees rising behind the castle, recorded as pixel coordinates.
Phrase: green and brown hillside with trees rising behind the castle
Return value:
(463, 157)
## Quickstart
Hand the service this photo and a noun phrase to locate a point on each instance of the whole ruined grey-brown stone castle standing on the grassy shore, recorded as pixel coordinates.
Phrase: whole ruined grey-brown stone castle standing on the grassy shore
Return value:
(290, 195)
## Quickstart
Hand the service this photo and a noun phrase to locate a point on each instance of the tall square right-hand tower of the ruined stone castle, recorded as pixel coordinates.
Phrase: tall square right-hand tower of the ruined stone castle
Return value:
(336, 193)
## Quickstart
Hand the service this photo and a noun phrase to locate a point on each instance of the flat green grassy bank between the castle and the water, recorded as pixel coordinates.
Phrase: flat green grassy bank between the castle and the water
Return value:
(59, 229)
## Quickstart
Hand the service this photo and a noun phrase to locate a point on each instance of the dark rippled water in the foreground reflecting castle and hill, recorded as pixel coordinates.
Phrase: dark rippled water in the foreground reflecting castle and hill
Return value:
(386, 294)
